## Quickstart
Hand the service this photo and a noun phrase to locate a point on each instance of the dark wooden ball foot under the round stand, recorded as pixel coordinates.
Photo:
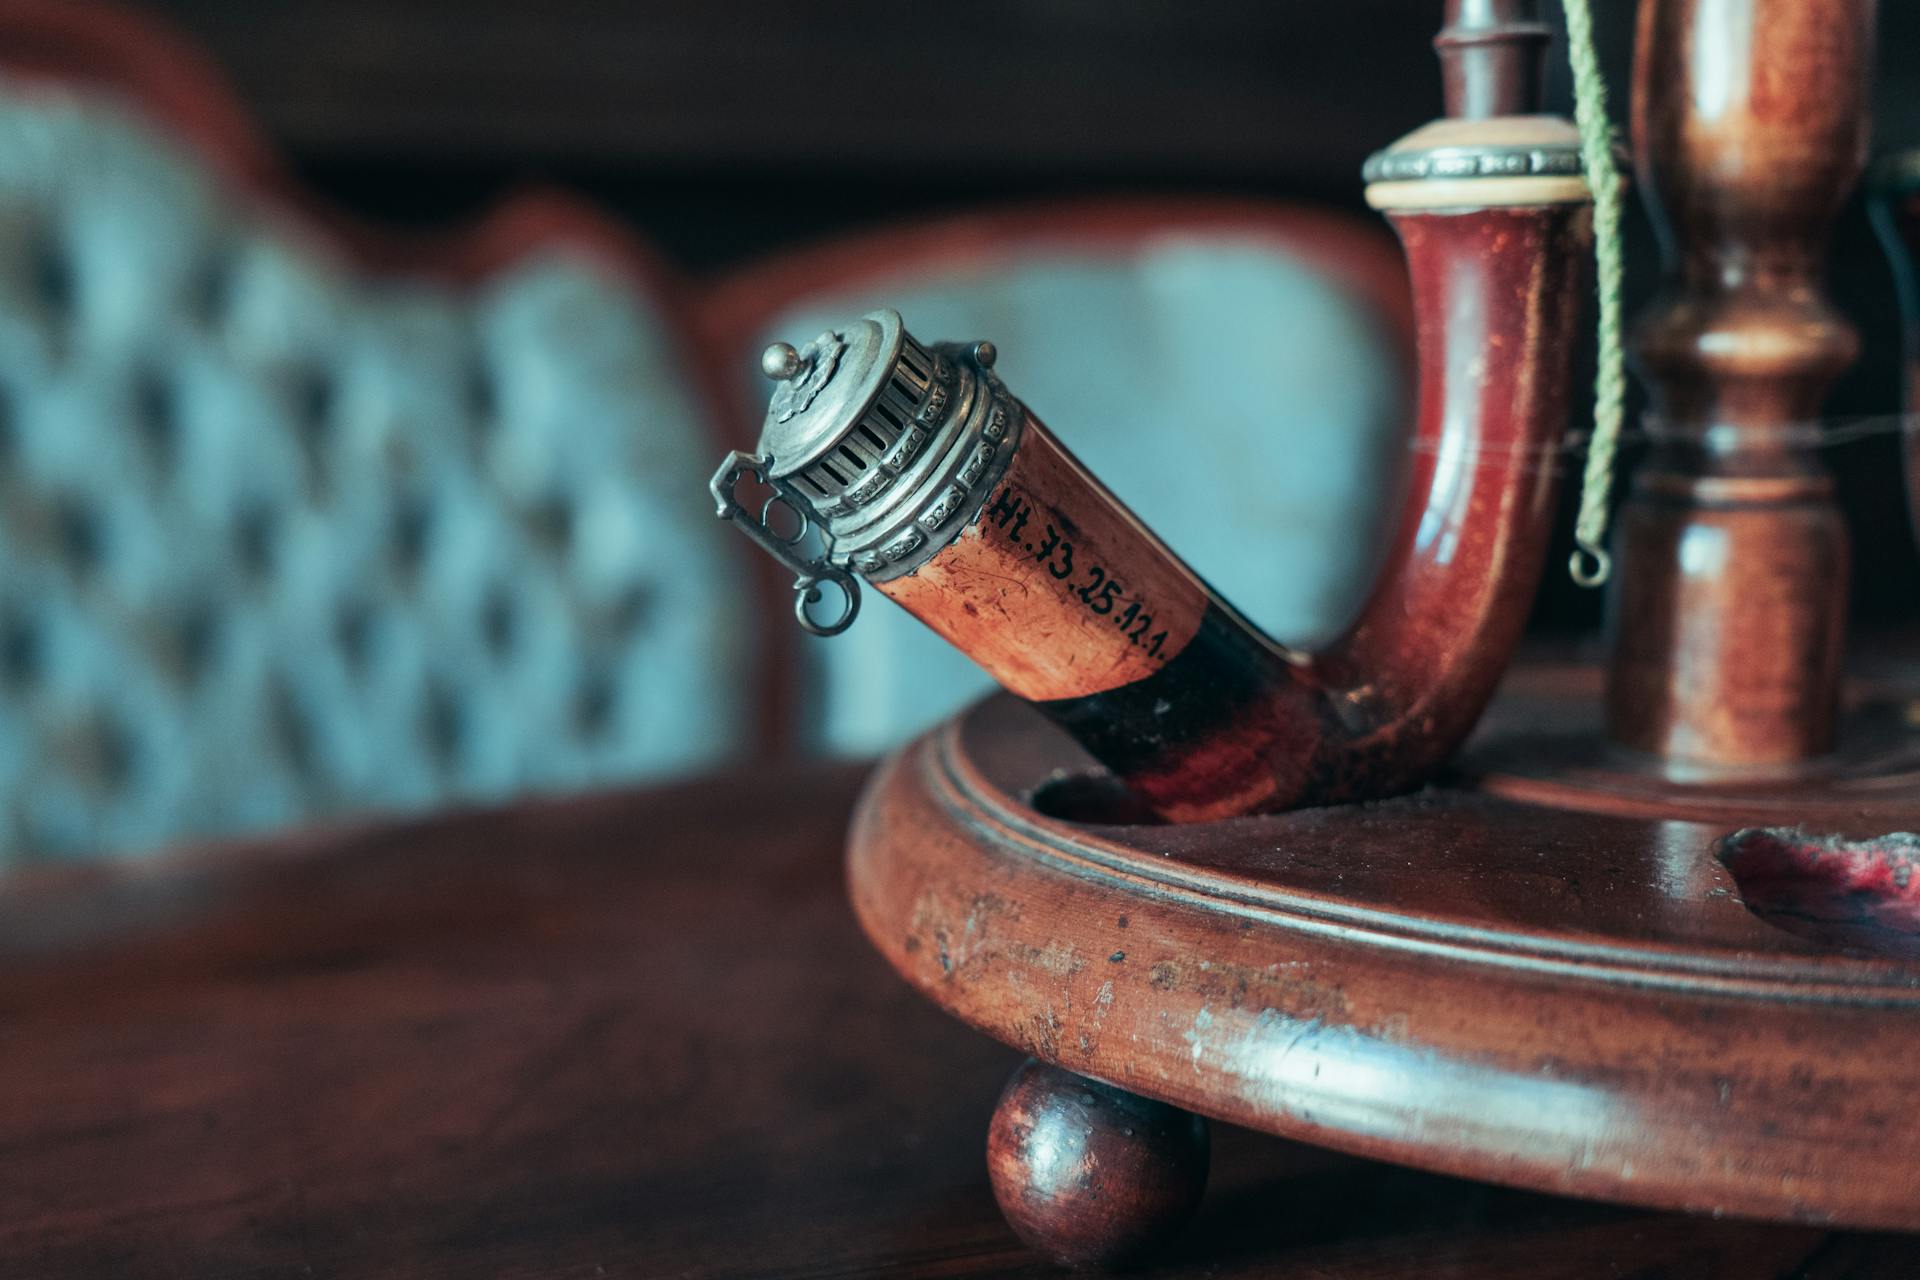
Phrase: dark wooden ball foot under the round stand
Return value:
(1088, 1173)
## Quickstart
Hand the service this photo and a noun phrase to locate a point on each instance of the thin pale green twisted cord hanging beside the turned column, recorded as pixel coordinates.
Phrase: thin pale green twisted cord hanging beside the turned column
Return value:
(1591, 563)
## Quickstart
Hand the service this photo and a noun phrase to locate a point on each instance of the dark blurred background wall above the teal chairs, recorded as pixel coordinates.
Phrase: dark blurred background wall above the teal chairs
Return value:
(734, 128)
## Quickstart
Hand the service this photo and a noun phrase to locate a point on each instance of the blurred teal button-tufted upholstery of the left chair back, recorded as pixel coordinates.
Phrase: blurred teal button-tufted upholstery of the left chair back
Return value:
(285, 540)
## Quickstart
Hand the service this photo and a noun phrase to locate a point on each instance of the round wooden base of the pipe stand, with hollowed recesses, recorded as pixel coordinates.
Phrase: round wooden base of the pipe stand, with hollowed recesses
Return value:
(1550, 972)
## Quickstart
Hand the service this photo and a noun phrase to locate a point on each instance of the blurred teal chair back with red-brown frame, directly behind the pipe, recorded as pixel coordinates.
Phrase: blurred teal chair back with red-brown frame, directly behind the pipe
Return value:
(1236, 371)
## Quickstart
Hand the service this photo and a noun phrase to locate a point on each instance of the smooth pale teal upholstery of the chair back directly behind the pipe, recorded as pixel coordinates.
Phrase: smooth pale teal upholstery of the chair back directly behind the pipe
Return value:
(1236, 394)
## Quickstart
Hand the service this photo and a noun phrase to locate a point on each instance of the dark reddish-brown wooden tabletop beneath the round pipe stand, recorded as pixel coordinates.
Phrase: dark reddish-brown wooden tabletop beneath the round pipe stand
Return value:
(629, 1035)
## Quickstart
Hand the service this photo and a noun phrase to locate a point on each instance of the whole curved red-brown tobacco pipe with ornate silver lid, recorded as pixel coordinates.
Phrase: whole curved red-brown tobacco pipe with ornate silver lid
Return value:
(940, 488)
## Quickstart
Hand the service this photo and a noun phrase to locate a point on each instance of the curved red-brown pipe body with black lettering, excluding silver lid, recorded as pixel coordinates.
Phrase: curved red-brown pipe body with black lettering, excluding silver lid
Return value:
(1068, 602)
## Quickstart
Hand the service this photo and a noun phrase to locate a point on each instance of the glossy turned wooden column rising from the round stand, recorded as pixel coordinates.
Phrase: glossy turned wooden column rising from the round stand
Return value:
(1750, 130)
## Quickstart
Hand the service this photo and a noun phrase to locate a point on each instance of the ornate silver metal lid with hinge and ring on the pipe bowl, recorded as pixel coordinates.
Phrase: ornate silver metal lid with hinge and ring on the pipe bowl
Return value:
(880, 448)
